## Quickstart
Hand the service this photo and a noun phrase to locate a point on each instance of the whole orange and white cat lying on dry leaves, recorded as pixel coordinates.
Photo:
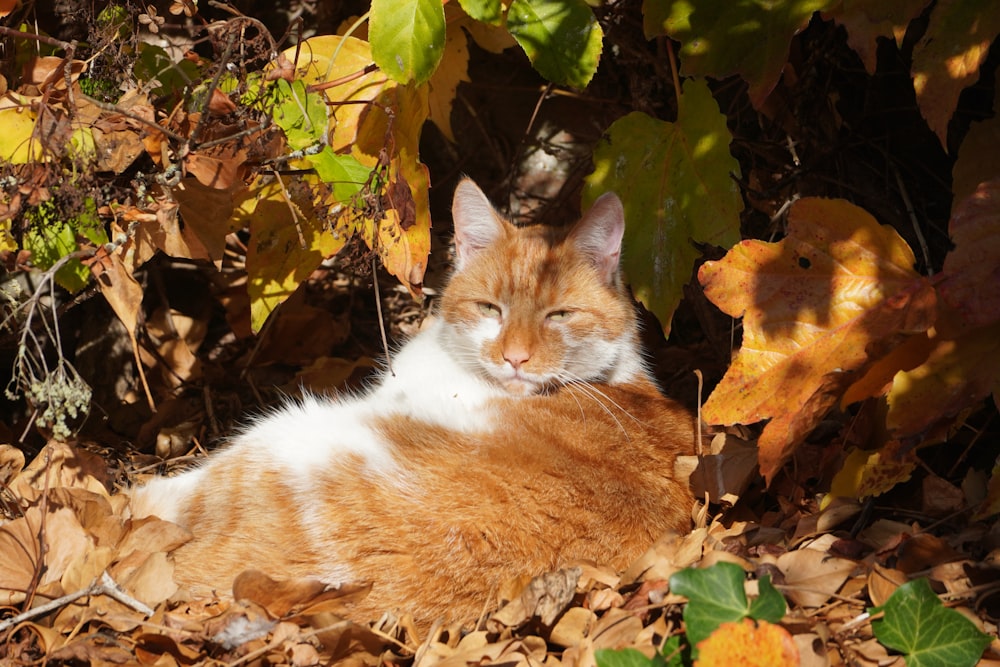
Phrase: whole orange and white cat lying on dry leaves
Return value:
(518, 432)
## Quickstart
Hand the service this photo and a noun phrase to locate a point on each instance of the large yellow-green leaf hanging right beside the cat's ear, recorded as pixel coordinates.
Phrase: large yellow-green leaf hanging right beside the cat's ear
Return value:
(675, 182)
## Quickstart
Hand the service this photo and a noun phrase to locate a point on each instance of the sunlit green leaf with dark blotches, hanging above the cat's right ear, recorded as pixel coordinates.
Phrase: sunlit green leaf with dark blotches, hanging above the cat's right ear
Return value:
(561, 37)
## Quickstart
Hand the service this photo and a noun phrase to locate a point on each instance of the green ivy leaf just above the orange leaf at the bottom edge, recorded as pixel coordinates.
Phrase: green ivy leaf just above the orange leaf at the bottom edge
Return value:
(716, 595)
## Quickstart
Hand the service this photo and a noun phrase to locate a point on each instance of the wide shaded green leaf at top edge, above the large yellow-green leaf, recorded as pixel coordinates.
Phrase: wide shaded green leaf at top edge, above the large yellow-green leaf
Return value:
(721, 37)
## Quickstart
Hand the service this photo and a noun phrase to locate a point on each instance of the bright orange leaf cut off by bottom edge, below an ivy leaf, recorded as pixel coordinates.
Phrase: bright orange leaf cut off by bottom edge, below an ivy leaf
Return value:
(748, 644)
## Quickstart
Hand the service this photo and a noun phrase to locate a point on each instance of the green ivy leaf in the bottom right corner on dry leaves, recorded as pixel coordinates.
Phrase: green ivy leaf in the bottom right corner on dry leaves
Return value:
(925, 631)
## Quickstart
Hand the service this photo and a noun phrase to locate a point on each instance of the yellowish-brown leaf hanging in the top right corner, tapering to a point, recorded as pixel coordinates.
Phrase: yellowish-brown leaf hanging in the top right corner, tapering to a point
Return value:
(947, 59)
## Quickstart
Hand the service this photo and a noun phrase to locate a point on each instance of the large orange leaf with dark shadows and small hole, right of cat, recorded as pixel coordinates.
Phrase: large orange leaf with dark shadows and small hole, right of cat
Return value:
(817, 307)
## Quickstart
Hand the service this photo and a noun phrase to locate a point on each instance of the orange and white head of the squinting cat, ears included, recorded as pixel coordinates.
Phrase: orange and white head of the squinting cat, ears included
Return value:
(531, 308)
